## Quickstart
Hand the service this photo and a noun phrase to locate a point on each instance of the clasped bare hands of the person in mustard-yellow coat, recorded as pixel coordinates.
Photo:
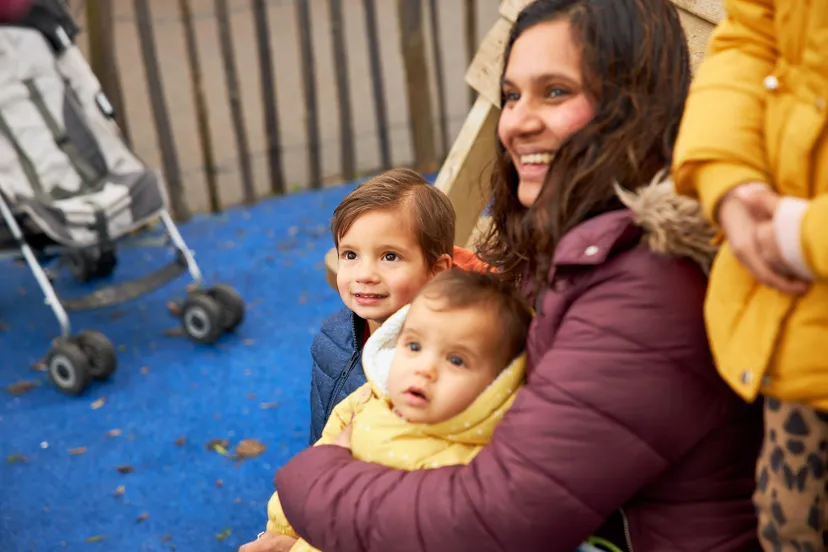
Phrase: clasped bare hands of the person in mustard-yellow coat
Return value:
(746, 217)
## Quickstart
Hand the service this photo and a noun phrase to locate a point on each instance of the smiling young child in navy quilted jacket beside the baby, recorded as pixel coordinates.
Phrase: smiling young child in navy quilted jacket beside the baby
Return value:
(392, 234)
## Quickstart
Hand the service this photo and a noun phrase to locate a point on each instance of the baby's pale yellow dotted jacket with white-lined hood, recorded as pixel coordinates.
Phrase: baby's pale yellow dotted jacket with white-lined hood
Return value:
(380, 436)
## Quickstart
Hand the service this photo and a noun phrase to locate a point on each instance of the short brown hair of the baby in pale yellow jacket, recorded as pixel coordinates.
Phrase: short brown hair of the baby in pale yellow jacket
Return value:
(460, 288)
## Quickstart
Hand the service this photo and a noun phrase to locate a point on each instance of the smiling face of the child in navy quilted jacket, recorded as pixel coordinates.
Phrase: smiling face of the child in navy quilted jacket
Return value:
(381, 265)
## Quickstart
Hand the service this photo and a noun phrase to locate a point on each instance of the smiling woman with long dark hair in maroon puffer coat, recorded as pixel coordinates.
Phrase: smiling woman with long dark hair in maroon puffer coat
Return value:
(623, 430)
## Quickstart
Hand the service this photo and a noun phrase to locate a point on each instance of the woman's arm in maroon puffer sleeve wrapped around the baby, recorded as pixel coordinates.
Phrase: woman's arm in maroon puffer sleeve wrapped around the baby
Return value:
(595, 423)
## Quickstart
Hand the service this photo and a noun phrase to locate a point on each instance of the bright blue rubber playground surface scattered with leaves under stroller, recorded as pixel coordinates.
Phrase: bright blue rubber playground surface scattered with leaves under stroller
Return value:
(60, 487)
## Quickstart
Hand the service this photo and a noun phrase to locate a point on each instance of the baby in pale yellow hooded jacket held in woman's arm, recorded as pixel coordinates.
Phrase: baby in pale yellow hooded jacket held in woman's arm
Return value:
(441, 373)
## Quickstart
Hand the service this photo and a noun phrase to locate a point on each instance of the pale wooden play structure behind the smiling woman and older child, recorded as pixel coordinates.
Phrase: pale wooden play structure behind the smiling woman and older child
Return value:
(466, 171)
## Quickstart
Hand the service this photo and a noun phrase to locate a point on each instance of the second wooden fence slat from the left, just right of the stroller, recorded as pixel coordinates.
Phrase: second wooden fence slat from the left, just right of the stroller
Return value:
(163, 129)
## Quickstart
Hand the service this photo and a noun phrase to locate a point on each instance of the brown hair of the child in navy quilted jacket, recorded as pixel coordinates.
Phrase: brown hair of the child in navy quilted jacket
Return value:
(431, 211)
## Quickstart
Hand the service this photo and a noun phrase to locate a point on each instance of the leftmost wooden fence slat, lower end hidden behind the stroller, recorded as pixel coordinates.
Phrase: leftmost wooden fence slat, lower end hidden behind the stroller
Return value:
(100, 21)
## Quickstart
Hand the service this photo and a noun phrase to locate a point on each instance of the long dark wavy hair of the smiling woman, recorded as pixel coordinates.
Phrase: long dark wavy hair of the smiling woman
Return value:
(636, 68)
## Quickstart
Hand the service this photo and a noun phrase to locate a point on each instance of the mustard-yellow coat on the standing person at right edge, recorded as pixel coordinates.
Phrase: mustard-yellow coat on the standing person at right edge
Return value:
(757, 112)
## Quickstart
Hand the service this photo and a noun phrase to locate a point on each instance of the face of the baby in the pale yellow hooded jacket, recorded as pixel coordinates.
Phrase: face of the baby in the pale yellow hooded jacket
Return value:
(444, 360)
